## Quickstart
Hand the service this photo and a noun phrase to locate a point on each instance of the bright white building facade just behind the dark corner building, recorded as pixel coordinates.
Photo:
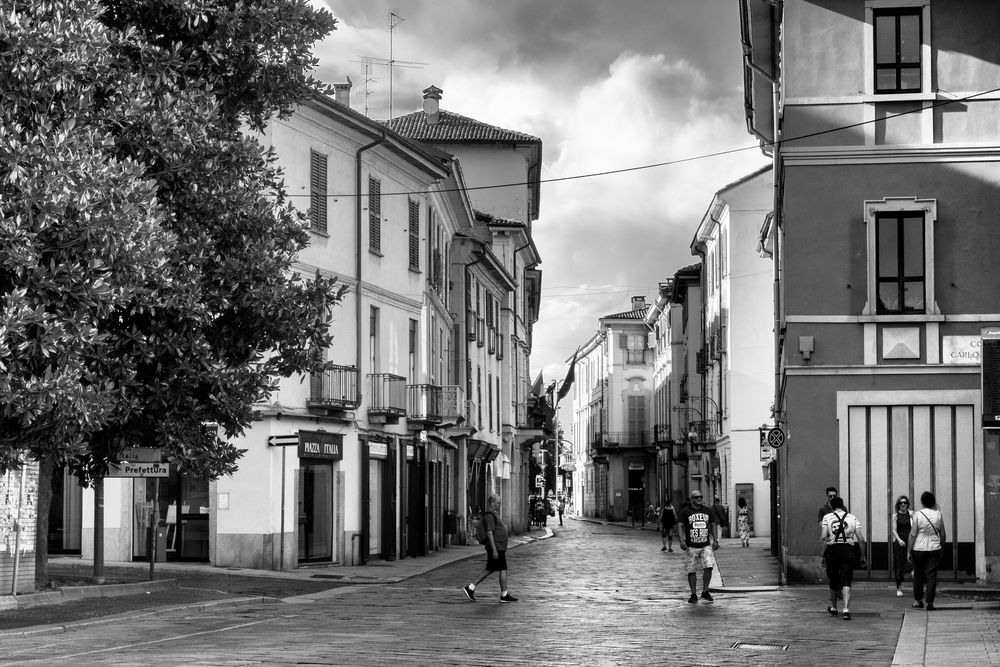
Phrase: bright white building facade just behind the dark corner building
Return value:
(736, 363)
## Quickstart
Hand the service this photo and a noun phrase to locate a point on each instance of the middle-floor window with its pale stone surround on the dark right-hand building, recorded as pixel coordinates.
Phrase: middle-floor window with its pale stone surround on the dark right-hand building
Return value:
(901, 256)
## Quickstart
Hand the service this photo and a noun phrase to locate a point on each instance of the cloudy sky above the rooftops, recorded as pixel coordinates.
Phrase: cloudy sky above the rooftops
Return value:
(605, 86)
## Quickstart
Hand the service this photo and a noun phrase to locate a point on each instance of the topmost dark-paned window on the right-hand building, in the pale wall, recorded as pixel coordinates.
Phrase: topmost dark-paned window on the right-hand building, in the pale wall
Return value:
(897, 35)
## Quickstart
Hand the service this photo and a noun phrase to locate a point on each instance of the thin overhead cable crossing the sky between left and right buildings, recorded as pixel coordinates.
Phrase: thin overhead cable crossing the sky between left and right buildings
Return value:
(693, 158)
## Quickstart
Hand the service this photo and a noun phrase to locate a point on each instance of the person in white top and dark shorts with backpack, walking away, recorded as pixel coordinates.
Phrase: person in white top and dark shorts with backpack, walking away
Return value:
(844, 542)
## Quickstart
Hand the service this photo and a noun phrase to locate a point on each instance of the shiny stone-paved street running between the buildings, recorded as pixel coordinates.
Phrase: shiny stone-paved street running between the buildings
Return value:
(592, 594)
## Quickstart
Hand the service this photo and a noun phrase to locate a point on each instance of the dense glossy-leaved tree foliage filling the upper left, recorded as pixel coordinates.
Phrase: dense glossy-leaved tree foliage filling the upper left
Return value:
(146, 243)
